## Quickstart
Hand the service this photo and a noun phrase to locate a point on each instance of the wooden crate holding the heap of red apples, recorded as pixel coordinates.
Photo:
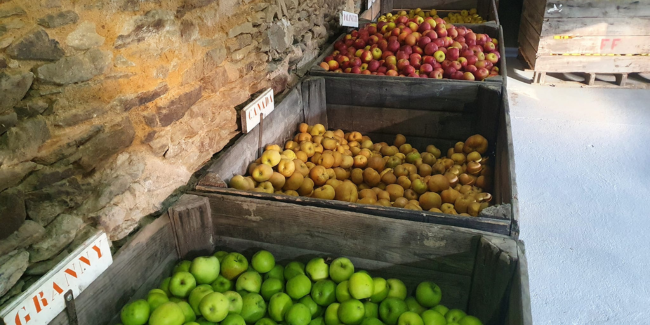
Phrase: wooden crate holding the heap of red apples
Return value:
(491, 29)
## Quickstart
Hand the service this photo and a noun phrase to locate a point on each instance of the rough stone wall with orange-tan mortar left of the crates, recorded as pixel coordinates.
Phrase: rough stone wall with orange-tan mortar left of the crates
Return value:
(108, 106)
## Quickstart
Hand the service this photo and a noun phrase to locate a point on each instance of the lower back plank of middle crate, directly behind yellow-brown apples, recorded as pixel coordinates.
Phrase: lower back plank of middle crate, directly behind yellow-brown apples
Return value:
(409, 122)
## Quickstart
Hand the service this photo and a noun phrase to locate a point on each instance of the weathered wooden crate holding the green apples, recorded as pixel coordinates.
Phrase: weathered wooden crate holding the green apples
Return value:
(482, 273)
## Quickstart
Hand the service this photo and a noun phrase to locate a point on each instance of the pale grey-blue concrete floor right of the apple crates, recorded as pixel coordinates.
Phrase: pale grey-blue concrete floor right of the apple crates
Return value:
(583, 171)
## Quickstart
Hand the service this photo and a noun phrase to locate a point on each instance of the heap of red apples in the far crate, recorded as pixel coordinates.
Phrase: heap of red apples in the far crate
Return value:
(417, 47)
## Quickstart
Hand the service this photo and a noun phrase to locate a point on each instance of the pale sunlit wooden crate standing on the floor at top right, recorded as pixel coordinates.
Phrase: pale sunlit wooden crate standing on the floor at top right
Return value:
(586, 36)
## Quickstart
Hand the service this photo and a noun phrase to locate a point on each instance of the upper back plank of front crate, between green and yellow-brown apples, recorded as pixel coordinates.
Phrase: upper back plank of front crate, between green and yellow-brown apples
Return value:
(447, 249)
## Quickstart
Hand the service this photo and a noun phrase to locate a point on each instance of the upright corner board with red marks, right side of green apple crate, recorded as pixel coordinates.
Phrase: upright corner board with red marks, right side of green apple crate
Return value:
(493, 272)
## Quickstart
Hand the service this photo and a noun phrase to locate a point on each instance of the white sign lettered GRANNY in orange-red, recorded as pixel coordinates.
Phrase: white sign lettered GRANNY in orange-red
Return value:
(44, 300)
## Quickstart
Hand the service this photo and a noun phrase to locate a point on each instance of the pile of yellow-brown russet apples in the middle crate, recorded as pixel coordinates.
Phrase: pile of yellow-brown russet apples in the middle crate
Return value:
(335, 165)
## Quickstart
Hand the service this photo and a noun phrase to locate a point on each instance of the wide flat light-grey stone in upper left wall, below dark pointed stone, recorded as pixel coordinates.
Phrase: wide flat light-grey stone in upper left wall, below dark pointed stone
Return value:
(74, 69)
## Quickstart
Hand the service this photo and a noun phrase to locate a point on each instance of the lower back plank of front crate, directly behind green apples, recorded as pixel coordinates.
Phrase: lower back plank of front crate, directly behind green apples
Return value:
(455, 287)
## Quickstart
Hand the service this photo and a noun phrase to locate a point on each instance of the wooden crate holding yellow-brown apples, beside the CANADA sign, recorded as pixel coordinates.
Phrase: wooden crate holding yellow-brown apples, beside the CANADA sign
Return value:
(426, 113)
